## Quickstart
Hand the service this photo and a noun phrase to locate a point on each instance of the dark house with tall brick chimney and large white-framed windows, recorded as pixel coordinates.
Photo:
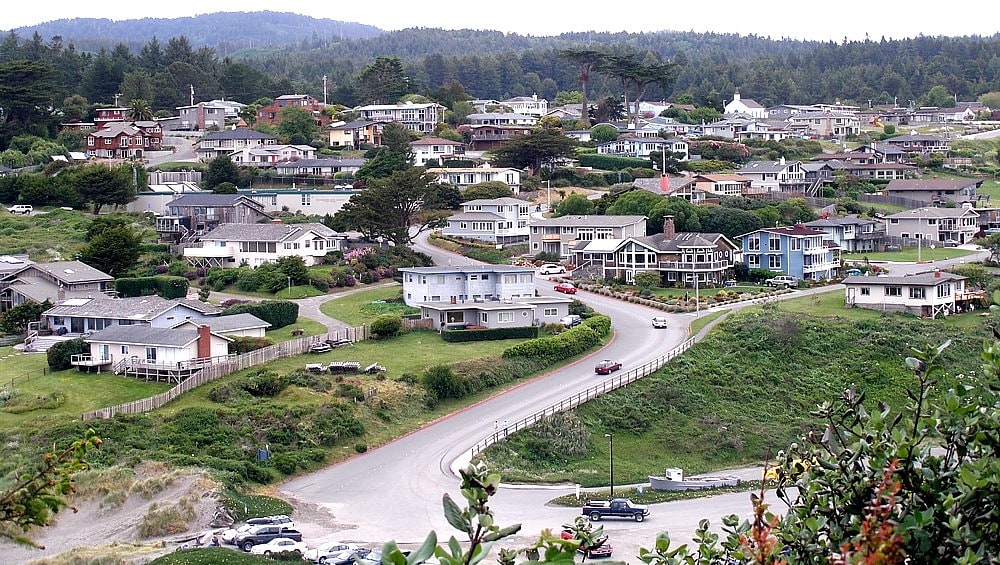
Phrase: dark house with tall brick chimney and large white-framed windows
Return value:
(685, 258)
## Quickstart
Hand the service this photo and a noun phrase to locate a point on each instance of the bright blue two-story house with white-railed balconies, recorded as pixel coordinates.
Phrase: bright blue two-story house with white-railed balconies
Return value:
(792, 250)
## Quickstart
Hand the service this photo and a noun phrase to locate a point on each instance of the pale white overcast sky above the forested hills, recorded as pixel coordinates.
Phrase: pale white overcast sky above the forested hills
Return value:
(777, 19)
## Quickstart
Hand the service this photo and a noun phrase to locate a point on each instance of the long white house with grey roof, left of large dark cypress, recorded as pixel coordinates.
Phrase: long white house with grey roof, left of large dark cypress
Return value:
(252, 245)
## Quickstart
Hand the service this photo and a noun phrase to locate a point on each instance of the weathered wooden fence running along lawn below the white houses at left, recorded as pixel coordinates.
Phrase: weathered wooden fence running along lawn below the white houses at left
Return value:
(210, 373)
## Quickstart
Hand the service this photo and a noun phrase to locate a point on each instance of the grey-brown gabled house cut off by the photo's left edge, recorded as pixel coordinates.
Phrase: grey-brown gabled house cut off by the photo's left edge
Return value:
(23, 280)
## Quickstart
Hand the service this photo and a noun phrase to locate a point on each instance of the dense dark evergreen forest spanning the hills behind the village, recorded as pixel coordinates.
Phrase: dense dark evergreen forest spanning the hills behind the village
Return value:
(488, 64)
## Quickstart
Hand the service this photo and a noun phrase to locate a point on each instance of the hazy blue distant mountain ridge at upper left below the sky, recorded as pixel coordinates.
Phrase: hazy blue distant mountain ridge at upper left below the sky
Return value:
(224, 31)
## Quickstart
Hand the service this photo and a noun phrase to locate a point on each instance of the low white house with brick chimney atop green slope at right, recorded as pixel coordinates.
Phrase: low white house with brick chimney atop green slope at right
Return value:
(928, 295)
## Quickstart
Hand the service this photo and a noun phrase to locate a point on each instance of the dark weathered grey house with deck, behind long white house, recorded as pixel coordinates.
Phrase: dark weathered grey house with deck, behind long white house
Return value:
(191, 215)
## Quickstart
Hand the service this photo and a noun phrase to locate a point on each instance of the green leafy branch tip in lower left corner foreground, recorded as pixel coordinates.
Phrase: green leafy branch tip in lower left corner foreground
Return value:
(41, 493)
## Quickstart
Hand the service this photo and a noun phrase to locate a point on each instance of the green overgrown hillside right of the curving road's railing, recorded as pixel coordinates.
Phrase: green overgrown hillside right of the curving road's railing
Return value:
(745, 391)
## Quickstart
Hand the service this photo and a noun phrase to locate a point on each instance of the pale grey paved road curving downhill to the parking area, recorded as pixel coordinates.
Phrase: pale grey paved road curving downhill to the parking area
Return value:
(394, 492)
